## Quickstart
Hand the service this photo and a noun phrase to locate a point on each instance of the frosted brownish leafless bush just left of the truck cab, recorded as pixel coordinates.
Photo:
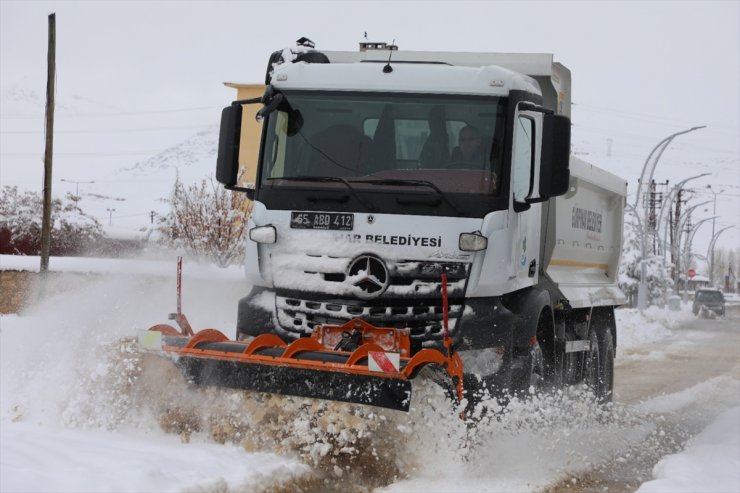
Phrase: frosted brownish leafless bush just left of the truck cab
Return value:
(208, 220)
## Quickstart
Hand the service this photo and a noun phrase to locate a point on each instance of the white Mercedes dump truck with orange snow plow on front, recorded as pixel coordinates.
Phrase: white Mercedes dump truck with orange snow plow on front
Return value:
(417, 209)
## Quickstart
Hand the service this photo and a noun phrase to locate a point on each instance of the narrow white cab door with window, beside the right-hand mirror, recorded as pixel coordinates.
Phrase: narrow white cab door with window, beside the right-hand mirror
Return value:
(525, 224)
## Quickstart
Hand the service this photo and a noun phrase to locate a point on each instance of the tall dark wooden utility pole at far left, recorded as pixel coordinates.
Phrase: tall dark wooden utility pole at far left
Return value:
(50, 80)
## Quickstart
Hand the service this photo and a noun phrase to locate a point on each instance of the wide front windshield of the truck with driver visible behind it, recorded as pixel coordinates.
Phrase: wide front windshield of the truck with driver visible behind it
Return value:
(453, 142)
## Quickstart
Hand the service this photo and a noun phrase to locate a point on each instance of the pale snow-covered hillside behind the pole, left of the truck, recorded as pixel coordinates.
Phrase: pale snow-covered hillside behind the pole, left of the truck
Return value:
(121, 163)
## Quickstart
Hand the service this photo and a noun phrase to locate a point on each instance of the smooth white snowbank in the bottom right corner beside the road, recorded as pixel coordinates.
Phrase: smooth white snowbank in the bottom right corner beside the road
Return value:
(709, 463)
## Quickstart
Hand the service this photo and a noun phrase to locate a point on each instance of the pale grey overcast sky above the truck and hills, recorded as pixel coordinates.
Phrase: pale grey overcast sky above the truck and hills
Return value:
(641, 69)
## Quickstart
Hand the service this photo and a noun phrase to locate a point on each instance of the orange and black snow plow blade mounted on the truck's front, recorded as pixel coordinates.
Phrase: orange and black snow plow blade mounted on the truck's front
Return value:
(375, 369)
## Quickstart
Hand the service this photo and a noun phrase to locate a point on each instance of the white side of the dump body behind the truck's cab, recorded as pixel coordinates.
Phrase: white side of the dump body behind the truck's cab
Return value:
(584, 237)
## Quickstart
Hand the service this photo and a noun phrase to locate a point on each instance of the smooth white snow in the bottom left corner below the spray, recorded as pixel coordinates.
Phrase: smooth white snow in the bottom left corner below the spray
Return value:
(65, 460)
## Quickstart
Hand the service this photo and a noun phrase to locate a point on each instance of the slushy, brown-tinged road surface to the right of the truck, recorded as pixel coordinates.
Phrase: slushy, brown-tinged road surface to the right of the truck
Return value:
(680, 384)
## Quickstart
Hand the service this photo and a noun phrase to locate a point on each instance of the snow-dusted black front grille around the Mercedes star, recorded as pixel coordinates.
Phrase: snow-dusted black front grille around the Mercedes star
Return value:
(317, 289)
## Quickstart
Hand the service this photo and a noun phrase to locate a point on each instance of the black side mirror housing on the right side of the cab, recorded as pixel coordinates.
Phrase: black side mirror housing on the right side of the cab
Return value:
(555, 156)
